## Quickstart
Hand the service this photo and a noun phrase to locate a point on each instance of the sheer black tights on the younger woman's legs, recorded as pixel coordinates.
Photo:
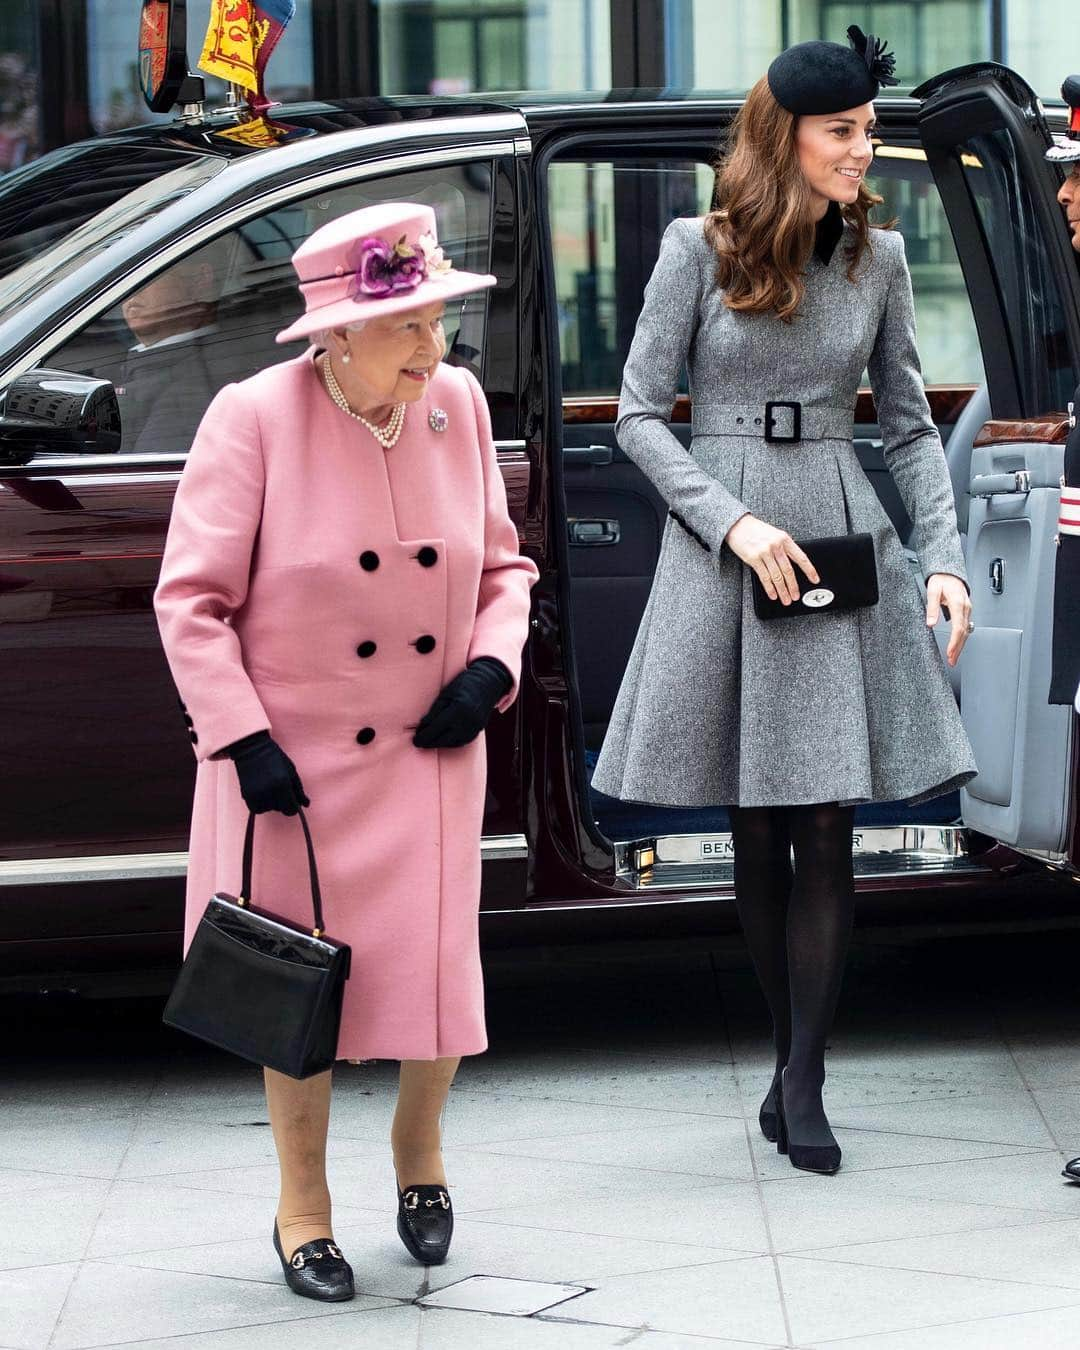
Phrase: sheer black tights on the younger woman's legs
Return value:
(797, 928)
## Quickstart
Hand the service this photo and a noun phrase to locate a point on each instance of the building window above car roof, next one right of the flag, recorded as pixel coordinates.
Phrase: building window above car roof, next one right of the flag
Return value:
(468, 47)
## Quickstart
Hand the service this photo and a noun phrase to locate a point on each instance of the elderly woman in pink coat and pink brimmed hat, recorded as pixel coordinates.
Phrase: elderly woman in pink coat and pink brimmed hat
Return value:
(344, 607)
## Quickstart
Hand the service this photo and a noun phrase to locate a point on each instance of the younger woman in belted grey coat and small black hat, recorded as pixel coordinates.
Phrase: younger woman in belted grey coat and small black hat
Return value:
(786, 295)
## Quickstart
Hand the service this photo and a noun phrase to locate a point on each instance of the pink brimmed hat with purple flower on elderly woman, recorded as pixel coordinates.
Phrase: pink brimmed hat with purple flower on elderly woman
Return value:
(376, 261)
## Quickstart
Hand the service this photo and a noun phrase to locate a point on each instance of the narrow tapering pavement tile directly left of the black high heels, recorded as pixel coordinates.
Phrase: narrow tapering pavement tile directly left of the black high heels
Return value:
(708, 1147)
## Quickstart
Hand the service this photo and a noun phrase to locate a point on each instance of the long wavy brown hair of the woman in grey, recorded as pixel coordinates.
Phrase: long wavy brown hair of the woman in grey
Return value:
(761, 226)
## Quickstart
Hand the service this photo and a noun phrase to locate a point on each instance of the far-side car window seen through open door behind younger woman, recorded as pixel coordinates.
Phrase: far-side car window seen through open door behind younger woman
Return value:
(607, 222)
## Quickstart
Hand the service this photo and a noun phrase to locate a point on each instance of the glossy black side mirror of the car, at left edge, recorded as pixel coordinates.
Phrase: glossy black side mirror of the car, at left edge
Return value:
(59, 412)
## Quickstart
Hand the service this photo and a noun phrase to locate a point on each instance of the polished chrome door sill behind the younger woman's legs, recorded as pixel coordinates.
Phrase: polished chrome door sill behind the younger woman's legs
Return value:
(697, 862)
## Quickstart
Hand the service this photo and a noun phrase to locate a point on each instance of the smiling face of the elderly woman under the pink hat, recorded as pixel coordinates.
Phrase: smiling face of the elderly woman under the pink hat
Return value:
(392, 358)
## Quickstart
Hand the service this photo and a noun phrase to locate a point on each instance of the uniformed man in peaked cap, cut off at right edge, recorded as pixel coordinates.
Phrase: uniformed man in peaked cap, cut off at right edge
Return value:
(1066, 673)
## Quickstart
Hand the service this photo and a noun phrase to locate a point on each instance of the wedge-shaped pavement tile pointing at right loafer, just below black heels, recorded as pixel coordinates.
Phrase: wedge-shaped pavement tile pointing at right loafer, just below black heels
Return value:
(701, 1214)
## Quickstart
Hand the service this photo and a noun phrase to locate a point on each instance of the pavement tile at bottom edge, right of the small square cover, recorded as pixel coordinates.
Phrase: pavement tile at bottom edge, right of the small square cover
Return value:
(732, 1299)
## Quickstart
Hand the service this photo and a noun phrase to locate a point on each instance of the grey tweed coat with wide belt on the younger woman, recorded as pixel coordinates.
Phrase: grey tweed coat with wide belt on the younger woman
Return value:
(718, 707)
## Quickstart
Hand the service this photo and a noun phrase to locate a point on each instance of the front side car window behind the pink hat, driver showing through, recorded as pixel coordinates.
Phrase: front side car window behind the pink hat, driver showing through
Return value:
(211, 318)
